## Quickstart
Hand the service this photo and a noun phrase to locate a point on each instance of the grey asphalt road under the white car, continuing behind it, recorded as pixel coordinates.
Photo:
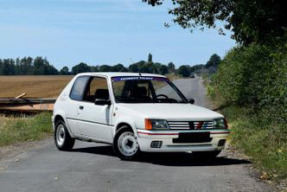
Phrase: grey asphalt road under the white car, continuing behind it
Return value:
(93, 167)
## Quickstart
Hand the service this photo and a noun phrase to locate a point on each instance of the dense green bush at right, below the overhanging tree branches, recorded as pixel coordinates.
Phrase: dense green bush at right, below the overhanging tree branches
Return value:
(254, 76)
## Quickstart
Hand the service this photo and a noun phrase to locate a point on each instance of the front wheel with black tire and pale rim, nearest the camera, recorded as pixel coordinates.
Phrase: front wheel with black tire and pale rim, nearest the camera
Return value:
(125, 144)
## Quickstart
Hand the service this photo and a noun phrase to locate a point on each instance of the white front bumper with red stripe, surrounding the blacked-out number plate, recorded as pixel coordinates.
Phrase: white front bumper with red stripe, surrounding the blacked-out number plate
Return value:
(163, 141)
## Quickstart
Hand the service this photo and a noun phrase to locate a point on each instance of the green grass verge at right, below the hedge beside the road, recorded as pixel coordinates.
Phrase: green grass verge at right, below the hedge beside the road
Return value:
(263, 141)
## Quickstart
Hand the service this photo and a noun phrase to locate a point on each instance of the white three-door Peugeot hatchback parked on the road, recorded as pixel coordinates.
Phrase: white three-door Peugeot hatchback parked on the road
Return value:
(135, 112)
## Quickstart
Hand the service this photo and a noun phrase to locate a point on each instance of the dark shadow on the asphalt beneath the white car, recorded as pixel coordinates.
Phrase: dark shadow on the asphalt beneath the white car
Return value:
(167, 159)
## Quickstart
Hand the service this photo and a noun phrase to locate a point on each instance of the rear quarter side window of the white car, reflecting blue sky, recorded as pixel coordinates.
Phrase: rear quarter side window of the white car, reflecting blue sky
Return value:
(78, 88)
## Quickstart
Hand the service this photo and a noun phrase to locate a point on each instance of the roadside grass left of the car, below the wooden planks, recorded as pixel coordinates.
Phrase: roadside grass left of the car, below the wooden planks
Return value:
(19, 129)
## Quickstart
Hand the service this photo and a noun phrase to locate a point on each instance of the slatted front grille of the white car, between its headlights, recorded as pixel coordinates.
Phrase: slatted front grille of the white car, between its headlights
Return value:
(187, 125)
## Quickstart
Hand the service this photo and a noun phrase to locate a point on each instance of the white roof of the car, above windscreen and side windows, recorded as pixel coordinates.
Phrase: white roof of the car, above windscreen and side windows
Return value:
(120, 74)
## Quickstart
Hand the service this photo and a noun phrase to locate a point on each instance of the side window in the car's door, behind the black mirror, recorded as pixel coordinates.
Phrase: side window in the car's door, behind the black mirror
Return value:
(97, 88)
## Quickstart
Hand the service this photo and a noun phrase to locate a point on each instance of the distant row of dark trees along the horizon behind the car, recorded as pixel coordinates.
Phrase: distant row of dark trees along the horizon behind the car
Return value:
(41, 66)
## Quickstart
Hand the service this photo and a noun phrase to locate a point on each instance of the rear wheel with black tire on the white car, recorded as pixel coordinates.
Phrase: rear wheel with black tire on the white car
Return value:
(62, 137)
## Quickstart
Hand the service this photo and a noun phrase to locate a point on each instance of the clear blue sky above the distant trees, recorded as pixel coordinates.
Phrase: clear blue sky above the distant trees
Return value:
(68, 32)
